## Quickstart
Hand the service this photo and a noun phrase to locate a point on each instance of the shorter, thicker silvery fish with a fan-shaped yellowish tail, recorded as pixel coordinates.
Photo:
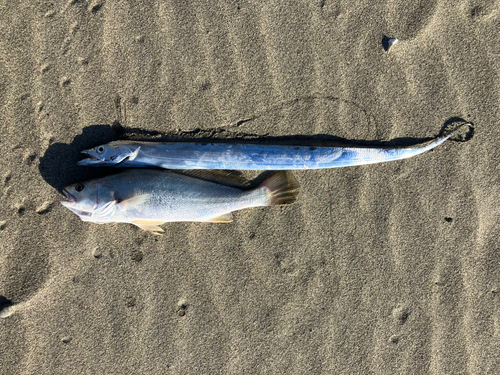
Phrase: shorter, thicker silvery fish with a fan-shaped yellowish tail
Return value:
(150, 197)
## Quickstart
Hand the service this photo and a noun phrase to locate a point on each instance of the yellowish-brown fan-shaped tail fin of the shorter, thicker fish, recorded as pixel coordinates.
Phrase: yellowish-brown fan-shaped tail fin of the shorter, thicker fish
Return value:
(283, 188)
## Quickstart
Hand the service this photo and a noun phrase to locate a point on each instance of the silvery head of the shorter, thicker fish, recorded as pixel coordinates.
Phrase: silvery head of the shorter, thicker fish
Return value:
(90, 200)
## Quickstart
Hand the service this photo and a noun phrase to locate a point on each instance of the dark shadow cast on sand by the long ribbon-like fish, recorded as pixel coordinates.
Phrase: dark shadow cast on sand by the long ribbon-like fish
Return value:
(58, 167)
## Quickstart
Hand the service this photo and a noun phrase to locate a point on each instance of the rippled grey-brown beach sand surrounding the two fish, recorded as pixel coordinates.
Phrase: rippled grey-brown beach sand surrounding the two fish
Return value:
(385, 269)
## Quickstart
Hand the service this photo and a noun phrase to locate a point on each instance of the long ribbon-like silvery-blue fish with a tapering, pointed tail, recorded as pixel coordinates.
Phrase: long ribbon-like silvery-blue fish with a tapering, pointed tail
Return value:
(180, 155)
